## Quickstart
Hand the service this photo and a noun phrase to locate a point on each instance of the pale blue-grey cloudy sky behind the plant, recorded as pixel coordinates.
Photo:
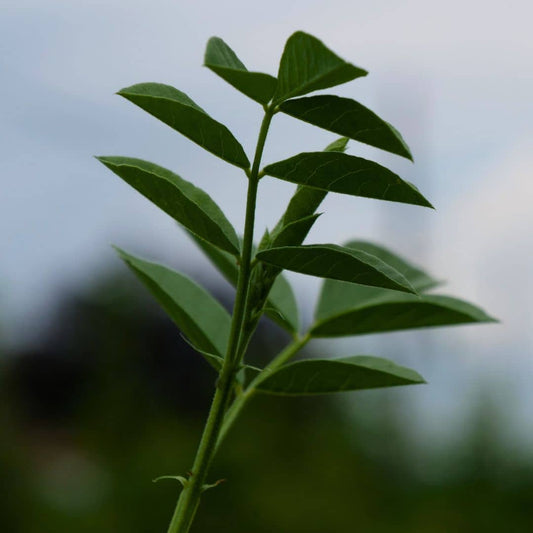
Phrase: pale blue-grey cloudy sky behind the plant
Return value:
(456, 78)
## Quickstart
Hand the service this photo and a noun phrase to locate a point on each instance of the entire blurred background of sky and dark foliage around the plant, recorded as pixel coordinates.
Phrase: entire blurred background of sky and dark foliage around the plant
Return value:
(98, 393)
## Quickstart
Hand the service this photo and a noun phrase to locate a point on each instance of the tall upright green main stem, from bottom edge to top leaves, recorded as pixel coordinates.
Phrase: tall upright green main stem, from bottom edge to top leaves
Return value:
(190, 495)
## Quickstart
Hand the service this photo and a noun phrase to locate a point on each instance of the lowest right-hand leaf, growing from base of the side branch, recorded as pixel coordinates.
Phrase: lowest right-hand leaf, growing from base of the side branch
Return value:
(319, 376)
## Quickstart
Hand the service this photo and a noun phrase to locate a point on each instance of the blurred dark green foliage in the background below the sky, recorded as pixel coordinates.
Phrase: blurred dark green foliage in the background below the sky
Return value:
(113, 398)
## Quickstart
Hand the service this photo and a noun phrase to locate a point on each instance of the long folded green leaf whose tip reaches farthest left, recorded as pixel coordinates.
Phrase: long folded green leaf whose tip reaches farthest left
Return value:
(184, 202)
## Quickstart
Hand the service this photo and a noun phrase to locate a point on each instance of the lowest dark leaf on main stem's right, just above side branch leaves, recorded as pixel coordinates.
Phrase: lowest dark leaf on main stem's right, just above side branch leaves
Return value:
(335, 262)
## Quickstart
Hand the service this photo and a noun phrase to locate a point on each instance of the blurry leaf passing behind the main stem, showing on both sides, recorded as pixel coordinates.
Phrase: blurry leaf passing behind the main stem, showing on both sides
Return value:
(281, 305)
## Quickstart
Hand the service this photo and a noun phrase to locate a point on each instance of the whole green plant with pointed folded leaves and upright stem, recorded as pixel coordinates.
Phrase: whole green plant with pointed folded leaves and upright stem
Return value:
(367, 288)
